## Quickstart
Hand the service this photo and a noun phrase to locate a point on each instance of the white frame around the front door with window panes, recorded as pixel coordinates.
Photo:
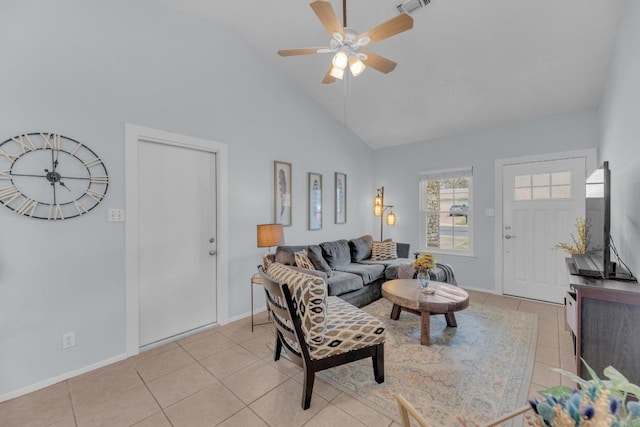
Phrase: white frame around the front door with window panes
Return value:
(590, 156)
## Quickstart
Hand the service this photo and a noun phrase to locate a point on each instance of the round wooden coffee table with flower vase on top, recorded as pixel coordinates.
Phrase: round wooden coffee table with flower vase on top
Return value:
(405, 295)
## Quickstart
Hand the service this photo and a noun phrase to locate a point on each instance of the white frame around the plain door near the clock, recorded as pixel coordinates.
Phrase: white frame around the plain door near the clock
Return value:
(133, 134)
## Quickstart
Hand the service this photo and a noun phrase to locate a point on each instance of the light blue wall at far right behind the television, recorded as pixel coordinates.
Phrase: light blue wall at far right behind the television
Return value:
(620, 115)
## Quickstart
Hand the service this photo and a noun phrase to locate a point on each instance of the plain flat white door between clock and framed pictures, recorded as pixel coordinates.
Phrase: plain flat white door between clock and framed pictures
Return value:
(177, 240)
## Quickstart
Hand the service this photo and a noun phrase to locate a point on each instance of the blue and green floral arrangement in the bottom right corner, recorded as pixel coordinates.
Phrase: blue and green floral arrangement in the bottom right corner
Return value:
(597, 402)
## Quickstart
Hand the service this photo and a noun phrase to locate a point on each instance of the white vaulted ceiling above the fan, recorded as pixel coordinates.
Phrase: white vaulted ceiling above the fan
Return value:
(465, 65)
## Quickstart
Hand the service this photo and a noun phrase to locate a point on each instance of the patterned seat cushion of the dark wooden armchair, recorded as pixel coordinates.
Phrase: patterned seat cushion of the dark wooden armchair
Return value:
(348, 329)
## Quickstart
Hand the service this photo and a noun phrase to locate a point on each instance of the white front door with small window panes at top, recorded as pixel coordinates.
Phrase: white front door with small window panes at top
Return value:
(541, 202)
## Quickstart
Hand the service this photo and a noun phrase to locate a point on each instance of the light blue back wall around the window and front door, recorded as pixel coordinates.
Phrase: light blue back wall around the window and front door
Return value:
(397, 169)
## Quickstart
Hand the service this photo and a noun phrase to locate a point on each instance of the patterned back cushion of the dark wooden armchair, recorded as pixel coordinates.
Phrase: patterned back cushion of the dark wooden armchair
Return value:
(309, 296)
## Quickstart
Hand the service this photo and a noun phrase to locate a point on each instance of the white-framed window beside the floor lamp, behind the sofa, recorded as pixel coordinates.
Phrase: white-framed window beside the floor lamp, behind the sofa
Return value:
(446, 211)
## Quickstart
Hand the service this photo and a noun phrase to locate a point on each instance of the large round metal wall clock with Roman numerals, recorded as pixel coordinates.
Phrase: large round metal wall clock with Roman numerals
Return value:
(50, 176)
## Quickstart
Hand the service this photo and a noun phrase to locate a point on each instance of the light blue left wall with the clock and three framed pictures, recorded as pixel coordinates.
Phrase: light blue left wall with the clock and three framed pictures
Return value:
(84, 68)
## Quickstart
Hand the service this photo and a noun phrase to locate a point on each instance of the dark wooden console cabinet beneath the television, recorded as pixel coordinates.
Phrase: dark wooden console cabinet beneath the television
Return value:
(607, 325)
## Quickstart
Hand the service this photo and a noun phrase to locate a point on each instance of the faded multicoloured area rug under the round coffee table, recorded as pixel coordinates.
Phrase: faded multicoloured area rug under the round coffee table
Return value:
(468, 376)
